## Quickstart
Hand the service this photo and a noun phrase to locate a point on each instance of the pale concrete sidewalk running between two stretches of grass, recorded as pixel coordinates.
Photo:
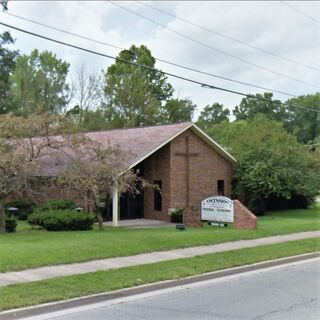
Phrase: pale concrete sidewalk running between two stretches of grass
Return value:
(144, 258)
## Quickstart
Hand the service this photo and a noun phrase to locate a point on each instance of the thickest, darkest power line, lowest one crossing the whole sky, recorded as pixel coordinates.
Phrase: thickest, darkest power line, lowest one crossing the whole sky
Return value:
(202, 84)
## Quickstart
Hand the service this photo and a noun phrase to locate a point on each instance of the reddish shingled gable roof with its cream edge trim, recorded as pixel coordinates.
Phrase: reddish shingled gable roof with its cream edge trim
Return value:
(142, 142)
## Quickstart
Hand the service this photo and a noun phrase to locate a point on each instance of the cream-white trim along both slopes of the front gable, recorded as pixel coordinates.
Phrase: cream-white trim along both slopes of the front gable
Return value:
(202, 135)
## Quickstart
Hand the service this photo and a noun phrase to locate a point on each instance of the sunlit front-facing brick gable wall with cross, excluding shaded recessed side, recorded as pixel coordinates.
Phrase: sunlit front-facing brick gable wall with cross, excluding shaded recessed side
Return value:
(205, 170)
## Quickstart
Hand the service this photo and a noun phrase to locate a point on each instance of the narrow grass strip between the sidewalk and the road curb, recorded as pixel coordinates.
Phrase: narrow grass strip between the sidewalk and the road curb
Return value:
(63, 288)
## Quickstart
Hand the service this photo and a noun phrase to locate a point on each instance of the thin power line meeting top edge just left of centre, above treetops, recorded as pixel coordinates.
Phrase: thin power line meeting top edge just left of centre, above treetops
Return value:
(230, 38)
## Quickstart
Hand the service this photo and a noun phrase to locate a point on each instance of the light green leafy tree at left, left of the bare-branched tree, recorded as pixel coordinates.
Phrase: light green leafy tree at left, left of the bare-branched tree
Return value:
(39, 84)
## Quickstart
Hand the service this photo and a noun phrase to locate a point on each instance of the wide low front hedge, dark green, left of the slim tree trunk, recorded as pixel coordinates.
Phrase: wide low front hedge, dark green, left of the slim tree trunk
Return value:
(62, 220)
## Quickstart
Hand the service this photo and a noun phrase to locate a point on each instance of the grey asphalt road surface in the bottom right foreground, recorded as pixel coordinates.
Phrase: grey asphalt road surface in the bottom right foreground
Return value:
(286, 292)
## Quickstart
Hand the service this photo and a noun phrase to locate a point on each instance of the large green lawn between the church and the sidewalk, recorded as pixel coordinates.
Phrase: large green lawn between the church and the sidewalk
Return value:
(34, 248)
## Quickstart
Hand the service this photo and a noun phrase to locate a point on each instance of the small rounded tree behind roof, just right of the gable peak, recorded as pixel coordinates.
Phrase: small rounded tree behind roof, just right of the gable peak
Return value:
(212, 115)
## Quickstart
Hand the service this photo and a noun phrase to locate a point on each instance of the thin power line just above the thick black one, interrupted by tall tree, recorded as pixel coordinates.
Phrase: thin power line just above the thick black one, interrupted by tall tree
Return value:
(158, 59)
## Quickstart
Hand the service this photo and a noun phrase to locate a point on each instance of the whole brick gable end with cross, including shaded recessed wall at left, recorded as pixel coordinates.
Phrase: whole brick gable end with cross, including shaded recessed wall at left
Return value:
(171, 168)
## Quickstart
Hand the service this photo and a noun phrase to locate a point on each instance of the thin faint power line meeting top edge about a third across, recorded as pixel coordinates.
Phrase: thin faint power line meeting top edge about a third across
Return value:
(213, 48)
